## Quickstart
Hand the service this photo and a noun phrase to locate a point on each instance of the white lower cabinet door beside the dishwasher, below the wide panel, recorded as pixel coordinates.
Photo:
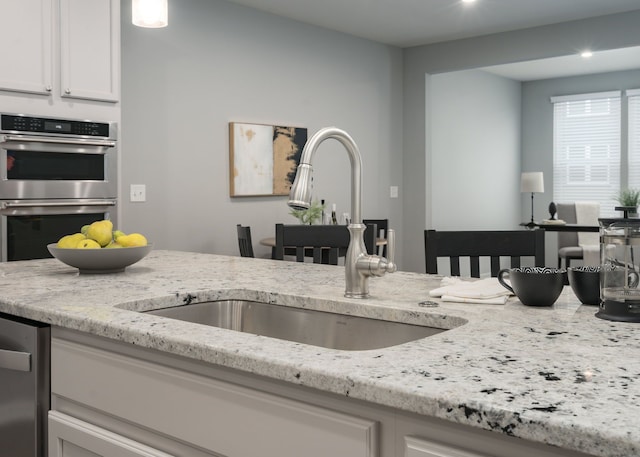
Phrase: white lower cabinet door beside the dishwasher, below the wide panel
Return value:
(71, 437)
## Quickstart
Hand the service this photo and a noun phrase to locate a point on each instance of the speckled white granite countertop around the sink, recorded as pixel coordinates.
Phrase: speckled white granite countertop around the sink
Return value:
(555, 375)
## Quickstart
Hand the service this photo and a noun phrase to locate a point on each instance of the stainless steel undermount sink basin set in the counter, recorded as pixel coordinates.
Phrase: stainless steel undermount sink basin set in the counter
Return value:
(317, 328)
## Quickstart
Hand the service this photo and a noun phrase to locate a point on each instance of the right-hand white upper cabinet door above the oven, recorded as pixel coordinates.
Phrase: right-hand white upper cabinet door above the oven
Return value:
(90, 49)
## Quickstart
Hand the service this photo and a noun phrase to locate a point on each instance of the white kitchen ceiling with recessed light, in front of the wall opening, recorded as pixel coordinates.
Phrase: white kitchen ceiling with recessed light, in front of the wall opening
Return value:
(407, 23)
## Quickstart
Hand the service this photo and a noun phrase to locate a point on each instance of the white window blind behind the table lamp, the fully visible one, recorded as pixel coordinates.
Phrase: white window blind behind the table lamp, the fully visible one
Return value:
(586, 149)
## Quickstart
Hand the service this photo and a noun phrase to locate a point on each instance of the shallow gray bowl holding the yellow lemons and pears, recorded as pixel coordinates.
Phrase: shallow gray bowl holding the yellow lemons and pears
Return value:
(111, 260)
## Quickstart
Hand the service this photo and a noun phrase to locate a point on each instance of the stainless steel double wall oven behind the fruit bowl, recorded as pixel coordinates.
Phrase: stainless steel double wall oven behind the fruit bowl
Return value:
(56, 175)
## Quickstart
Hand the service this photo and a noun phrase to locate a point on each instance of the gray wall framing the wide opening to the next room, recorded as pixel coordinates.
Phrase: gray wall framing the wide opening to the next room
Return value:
(420, 62)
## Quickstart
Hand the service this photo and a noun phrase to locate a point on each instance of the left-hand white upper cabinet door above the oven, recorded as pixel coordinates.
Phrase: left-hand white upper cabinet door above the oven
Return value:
(25, 34)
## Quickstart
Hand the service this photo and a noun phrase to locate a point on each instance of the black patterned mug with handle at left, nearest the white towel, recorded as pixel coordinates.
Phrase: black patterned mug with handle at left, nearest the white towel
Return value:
(534, 286)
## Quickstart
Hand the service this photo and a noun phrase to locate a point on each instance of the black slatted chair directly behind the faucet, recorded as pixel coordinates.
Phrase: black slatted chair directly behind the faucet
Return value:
(324, 243)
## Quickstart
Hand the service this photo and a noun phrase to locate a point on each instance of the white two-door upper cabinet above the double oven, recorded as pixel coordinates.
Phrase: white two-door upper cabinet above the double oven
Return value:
(61, 48)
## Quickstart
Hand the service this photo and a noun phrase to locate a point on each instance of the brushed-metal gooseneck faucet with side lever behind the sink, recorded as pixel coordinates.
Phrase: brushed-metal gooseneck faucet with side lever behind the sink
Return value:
(359, 265)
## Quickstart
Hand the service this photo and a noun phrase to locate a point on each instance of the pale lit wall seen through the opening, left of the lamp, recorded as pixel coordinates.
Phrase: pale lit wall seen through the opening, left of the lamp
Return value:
(475, 147)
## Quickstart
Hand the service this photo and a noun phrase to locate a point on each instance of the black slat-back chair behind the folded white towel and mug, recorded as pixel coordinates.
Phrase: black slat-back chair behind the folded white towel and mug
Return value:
(476, 244)
